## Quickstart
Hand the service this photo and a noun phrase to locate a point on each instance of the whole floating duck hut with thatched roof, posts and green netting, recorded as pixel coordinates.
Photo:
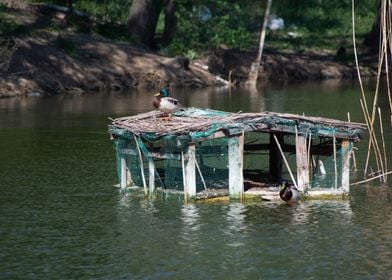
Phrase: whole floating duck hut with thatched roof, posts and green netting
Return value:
(202, 152)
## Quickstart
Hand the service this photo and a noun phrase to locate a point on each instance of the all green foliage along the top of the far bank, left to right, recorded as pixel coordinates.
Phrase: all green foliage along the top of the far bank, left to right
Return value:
(207, 24)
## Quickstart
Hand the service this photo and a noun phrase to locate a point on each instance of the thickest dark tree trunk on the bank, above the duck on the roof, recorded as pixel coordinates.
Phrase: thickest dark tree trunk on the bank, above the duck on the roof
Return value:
(143, 19)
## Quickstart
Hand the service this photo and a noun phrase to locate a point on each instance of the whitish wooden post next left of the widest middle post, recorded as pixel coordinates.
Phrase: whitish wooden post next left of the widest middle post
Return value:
(190, 171)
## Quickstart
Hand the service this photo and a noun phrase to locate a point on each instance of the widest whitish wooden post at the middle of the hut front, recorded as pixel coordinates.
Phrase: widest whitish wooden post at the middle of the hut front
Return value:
(236, 159)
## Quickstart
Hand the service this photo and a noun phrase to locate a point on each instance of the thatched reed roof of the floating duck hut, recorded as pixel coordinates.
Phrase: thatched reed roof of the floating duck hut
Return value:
(198, 124)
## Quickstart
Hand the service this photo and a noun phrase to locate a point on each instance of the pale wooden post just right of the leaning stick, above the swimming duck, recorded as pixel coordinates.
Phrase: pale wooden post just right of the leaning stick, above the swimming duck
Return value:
(302, 162)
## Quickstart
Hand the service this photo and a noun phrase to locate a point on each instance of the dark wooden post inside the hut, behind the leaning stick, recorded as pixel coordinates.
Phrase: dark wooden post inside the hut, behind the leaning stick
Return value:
(275, 159)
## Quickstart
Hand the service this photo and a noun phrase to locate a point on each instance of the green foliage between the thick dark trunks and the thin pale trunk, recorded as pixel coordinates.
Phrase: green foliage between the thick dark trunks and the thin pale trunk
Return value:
(227, 25)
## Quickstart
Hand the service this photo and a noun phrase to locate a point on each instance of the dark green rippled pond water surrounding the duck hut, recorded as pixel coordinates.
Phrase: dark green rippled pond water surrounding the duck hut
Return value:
(60, 217)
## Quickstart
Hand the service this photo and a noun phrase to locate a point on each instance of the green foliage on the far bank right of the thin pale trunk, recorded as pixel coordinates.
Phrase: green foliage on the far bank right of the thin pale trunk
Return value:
(323, 24)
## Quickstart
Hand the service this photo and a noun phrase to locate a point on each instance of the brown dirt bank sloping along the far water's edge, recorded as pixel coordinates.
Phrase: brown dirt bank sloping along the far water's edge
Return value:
(50, 62)
